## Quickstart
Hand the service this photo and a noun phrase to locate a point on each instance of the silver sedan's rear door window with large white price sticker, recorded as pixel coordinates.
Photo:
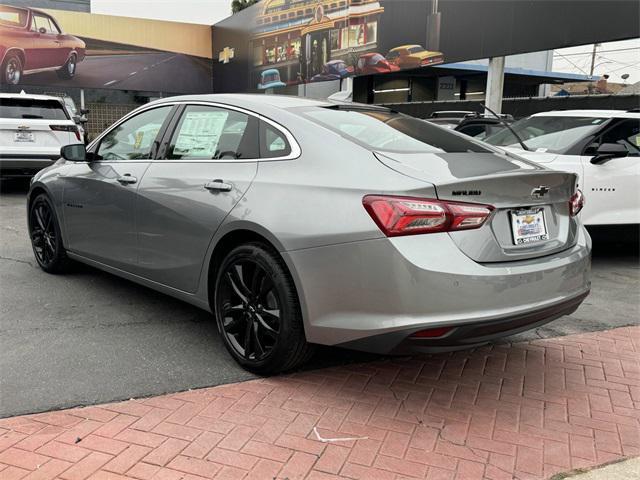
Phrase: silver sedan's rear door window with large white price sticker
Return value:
(211, 133)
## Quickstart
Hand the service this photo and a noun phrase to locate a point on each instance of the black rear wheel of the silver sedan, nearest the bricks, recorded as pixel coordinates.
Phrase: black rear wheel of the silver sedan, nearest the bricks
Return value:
(257, 311)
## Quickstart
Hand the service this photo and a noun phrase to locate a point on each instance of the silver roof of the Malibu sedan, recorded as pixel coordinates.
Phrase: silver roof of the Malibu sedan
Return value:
(249, 100)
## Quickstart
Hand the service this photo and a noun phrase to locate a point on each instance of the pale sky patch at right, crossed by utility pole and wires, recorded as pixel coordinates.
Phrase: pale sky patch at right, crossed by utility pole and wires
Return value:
(612, 58)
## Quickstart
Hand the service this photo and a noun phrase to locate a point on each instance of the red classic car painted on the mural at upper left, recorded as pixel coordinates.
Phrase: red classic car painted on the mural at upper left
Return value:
(31, 41)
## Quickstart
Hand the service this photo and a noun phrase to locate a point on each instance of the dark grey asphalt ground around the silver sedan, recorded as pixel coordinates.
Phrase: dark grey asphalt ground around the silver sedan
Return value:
(89, 337)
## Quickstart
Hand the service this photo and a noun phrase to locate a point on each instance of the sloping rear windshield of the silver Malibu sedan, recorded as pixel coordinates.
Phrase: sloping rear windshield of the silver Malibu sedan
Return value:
(383, 130)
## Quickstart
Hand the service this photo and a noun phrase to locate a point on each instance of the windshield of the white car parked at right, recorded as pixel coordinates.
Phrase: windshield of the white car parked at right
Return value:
(546, 134)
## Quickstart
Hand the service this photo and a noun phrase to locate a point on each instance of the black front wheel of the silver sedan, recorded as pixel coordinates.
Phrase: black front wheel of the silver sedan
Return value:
(46, 239)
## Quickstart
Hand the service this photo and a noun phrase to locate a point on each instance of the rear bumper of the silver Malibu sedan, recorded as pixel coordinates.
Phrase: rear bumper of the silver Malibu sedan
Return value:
(373, 295)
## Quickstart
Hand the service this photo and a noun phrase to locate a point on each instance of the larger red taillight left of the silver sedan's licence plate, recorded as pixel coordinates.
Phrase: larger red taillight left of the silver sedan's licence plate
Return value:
(410, 216)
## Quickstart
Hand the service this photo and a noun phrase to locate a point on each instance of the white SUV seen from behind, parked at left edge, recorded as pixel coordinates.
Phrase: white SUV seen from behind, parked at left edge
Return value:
(32, 130)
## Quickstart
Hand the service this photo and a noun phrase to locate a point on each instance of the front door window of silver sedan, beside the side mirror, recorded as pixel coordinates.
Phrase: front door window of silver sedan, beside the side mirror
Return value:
(134, 138)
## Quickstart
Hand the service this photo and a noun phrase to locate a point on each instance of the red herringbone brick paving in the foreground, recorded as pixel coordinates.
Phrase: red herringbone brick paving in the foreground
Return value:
(522, 411)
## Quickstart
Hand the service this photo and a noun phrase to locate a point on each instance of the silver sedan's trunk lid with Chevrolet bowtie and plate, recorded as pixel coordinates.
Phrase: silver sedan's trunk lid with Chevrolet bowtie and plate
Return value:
(531, 216)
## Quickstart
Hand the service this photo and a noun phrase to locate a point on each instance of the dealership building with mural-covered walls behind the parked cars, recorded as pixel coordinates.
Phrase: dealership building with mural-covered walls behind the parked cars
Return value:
(433, 53)
